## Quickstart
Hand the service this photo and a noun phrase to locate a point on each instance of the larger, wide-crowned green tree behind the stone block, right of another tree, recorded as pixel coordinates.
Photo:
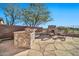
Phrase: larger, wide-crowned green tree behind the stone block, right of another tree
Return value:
(36, 14)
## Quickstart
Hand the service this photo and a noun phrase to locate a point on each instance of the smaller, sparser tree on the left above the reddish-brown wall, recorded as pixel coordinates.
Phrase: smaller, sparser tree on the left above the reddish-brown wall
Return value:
(12, 13)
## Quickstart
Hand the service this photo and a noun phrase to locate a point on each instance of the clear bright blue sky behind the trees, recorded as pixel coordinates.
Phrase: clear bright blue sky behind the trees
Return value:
(64, 14)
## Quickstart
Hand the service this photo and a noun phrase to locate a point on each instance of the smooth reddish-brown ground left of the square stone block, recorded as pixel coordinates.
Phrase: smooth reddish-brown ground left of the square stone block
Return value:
(7, 48)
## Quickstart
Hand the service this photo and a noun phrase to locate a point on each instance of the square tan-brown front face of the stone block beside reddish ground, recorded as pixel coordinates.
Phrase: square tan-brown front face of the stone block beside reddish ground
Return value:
(22, 39)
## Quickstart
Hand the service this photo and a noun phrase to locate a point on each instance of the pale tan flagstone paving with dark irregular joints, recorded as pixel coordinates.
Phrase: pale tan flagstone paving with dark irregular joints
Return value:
(70, 47)
